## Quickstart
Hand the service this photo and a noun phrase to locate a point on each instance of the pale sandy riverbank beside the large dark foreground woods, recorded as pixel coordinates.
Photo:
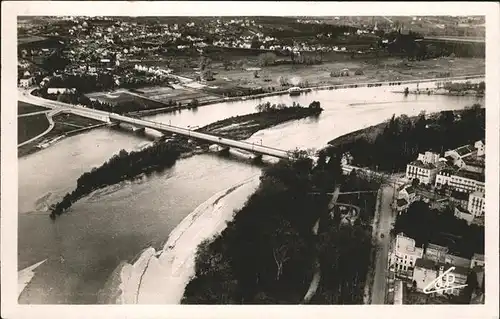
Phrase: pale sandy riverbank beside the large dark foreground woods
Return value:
(173, 266)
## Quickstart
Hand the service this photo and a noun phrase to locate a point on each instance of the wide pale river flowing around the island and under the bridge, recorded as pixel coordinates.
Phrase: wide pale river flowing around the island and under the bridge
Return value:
(84, 246)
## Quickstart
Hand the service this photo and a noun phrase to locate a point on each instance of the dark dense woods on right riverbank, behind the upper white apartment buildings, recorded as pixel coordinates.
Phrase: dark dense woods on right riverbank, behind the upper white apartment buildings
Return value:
(403, 138)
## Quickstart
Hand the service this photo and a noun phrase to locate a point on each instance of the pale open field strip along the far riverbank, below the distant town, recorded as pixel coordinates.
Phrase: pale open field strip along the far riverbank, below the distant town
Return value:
(315, 75)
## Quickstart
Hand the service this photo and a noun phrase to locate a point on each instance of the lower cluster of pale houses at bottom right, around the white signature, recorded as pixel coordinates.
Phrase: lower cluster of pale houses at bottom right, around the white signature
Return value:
(421, 267)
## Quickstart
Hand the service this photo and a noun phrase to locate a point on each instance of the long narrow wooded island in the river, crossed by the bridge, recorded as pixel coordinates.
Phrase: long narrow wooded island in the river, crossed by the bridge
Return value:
(162, 154)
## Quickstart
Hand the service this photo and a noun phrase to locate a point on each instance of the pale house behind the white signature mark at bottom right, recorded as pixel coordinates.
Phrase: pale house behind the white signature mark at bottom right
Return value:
(426, 271)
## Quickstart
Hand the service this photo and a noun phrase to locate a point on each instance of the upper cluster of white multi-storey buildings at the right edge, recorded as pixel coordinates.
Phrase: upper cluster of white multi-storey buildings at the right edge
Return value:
(460, 174)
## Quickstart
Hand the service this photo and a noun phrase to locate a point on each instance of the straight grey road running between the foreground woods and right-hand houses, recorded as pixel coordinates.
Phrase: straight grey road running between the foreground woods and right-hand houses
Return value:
(386, 217)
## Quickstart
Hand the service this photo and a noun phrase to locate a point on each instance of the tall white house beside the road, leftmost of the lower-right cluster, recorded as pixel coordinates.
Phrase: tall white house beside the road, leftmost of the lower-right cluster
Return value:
(404, 255)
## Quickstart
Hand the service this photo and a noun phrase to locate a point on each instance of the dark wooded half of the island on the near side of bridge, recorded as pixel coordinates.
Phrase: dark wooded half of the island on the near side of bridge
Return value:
(120, 167)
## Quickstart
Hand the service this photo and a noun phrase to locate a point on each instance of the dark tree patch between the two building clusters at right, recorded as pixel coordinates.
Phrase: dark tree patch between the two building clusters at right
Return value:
(442, 228)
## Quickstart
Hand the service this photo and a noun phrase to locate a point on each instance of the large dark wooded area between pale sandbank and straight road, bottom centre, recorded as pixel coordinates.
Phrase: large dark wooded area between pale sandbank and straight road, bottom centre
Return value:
(268, 253)
